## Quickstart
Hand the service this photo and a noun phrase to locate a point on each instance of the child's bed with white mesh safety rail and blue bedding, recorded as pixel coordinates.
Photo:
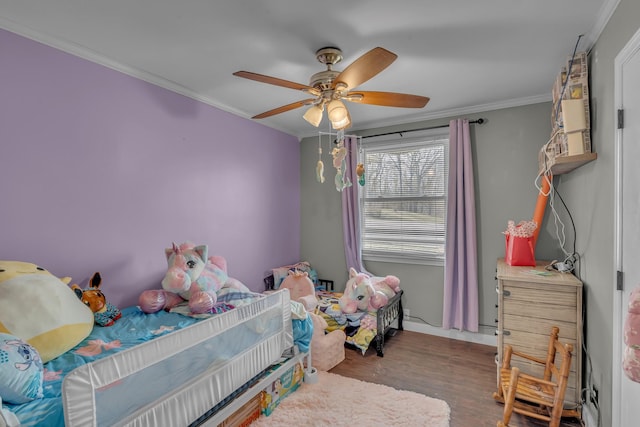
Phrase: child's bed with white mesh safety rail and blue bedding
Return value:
(165, 368)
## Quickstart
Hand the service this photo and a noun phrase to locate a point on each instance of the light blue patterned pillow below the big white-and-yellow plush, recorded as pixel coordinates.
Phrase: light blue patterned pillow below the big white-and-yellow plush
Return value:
(21, 371)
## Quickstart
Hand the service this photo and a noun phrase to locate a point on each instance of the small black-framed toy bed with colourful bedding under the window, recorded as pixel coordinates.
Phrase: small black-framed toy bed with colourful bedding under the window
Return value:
(362, 328)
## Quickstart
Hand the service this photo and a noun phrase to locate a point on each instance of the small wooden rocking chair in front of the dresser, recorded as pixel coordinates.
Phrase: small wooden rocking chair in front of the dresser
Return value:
(540, 398)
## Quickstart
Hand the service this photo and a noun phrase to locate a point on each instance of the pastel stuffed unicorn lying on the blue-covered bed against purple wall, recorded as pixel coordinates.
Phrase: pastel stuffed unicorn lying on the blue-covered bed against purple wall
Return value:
(192, 276)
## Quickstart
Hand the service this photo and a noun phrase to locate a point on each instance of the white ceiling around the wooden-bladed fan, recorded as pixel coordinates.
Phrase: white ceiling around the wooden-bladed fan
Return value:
(466, 55)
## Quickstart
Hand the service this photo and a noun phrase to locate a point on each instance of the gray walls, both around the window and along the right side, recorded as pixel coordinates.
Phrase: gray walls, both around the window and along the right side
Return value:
(505, 155)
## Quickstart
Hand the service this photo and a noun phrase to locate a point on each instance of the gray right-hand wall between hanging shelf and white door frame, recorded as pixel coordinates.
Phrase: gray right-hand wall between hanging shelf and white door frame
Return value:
(590, 194)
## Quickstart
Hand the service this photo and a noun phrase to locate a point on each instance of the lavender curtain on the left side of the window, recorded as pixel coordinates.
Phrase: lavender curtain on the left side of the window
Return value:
(350, 209)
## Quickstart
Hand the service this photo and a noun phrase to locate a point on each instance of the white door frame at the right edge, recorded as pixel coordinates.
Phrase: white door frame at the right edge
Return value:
(631, 48)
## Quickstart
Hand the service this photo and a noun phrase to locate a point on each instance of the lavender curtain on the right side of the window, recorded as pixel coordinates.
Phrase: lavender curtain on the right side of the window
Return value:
(460, 309)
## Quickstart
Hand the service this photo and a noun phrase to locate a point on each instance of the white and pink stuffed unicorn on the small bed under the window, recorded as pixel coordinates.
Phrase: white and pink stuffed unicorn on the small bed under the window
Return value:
(365, 293)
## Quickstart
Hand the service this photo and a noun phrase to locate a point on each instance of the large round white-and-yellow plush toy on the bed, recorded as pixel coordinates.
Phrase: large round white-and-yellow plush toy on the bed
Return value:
(41, 309)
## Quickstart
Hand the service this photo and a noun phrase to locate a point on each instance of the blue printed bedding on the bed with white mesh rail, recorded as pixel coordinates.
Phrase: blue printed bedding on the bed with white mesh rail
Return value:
(132, 329)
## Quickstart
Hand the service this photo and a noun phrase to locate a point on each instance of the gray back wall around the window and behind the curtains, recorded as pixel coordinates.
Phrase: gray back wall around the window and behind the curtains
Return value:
(505, 153)
